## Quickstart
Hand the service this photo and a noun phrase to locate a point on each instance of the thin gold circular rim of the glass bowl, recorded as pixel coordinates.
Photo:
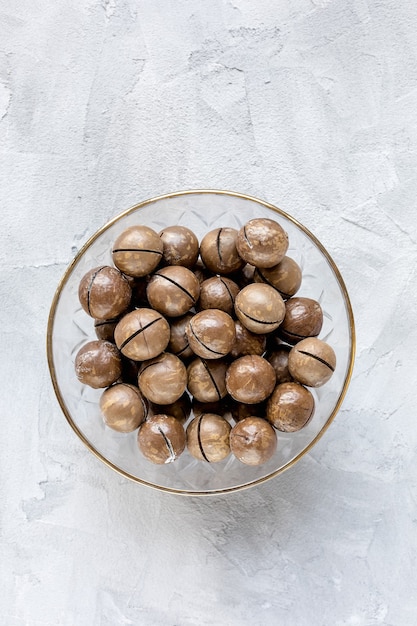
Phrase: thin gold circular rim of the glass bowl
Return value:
(67, 274)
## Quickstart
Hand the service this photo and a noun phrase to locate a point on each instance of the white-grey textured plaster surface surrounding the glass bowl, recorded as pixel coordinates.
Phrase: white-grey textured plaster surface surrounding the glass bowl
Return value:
(309, 104)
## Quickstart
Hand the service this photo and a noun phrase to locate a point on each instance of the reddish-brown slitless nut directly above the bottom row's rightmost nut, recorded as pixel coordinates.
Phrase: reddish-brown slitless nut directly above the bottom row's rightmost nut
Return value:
(250, 379)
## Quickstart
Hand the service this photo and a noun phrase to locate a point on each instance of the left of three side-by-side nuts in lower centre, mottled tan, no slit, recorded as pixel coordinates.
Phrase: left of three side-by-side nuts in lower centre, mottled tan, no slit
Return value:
(163, 379)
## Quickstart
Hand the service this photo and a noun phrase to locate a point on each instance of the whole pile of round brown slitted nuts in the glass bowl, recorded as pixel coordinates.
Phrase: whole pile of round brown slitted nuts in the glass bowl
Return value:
(213, 327)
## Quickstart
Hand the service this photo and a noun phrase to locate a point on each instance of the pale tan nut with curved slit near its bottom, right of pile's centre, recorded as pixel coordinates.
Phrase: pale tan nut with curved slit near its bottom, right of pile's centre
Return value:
(260, 308)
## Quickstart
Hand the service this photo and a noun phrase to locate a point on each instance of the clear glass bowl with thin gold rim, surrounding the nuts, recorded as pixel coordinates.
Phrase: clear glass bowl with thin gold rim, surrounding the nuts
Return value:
(69, 327)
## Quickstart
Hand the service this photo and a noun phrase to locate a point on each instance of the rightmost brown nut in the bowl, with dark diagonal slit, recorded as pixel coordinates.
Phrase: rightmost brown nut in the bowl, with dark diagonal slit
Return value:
(312, 362)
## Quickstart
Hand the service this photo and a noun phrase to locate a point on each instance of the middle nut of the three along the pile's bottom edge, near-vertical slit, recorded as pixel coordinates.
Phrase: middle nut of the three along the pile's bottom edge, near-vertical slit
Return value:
(208, 438)
